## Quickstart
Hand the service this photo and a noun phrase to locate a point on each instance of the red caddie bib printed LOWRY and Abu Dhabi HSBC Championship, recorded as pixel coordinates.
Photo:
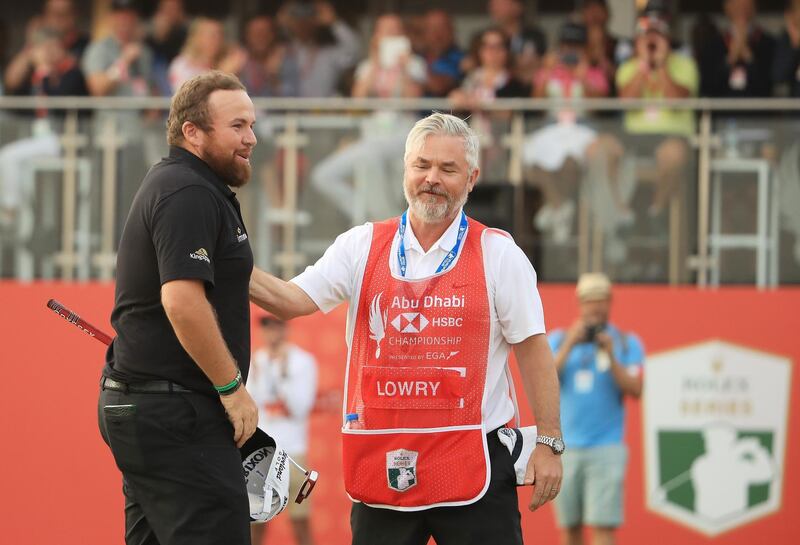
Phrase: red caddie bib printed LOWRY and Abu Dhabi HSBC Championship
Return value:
(416, 377)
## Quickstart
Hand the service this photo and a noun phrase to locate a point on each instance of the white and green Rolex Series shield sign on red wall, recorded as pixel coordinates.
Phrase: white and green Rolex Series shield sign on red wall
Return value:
(715, 418)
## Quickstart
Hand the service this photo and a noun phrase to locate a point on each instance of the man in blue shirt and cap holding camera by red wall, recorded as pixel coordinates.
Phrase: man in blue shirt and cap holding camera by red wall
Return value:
(598, 365)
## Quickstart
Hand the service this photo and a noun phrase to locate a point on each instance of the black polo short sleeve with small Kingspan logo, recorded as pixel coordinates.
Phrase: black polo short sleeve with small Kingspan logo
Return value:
(185, 226)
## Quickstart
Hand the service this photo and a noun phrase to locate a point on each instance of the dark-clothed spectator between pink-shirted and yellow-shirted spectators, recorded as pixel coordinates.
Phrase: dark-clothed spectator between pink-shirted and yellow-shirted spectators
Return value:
(604, 50)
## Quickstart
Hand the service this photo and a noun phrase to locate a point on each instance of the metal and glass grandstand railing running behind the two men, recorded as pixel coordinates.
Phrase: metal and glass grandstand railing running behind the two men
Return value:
(72, 205)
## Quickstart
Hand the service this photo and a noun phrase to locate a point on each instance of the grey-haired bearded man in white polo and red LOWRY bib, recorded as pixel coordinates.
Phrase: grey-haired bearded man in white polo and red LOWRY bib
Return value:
(436, 303)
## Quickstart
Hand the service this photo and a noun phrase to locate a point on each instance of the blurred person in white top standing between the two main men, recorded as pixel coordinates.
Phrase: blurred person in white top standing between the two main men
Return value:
(283, 384)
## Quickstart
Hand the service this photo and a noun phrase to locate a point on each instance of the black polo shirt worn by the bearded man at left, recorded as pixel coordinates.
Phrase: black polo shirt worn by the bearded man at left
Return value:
(184, 223)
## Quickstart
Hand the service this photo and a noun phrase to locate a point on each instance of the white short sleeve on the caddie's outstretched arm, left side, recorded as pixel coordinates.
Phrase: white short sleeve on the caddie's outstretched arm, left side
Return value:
(331, 280)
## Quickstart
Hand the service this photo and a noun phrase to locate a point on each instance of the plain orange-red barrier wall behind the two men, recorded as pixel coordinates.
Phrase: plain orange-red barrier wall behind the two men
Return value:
(59, 483)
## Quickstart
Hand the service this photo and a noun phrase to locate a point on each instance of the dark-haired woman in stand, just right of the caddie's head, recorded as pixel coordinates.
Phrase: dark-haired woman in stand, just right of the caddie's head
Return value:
(493, 77)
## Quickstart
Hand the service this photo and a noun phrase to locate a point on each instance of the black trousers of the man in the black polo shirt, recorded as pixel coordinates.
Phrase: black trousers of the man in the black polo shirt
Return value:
(181, 471)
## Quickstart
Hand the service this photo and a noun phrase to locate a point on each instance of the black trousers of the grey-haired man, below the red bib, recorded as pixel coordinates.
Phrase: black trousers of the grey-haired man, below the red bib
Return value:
(494, 519)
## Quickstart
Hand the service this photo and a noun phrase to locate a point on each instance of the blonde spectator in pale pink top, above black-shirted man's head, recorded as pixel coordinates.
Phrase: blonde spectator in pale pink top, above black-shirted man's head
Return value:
(205, 49)
